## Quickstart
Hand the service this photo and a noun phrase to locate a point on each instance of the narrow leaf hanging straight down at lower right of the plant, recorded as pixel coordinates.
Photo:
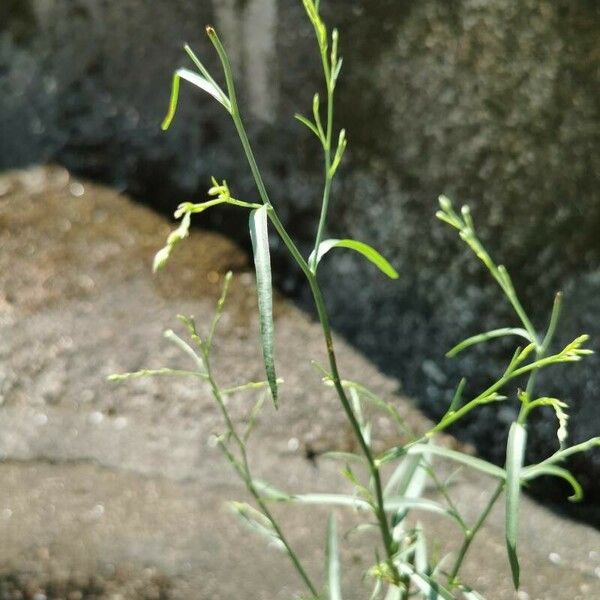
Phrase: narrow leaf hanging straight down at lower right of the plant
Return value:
(515, 453)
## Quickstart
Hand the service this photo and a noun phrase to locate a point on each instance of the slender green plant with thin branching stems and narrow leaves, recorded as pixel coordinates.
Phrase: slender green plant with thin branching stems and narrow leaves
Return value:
(388, 486)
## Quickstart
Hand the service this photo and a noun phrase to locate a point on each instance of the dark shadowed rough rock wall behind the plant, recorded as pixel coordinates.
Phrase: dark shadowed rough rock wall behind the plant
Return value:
(494, 103)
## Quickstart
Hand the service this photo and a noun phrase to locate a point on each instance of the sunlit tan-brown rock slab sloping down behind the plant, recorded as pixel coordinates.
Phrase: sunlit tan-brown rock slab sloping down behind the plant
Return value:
(115, 491)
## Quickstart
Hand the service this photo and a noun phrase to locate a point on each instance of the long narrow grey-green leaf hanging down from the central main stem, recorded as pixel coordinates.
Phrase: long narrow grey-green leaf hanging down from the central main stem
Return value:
(262, 262)
